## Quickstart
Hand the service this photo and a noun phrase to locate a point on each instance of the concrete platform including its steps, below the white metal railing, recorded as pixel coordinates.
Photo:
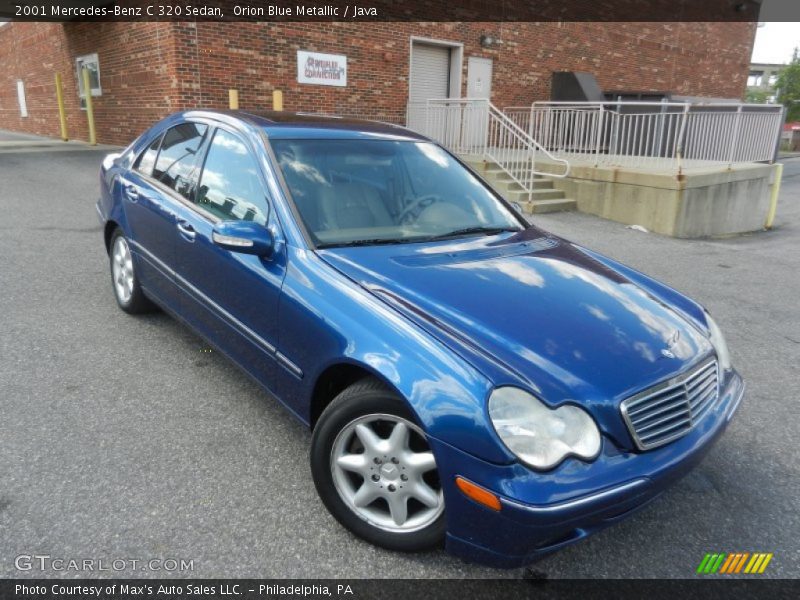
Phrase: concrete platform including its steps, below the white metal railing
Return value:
(702, 200)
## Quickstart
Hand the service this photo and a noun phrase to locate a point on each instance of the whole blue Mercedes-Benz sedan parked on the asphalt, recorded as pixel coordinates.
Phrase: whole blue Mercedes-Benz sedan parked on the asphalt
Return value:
(469, 378)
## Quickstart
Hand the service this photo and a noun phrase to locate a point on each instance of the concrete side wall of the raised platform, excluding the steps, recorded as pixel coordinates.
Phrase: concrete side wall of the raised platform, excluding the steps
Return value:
(715, 202)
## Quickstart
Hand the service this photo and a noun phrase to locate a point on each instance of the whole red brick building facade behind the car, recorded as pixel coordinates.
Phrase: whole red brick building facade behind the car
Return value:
(146, 70)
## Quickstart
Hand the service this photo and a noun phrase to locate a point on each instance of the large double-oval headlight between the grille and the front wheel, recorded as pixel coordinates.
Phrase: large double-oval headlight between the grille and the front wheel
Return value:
(538, 435)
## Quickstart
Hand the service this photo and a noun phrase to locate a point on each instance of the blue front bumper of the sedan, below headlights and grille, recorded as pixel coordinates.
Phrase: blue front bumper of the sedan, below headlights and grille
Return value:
(542, 512)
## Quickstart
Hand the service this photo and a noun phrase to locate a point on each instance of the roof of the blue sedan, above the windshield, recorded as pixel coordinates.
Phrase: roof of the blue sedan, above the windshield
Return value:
(297, 125)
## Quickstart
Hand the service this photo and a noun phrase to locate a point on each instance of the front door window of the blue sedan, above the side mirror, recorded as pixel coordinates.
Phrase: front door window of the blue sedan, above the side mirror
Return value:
(230, 187)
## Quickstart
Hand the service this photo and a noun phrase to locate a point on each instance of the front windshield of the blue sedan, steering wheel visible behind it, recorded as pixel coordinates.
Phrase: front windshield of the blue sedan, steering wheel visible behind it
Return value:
(365, 192)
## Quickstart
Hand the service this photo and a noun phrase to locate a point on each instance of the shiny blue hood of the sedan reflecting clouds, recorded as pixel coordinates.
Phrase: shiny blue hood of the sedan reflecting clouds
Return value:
(535, 310)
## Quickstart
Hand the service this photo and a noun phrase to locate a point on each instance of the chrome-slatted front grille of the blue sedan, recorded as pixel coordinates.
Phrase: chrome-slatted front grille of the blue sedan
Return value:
(671, 409)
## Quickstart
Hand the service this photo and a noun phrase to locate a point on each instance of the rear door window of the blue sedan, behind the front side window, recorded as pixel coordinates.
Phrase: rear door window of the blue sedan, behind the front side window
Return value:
(176, 165)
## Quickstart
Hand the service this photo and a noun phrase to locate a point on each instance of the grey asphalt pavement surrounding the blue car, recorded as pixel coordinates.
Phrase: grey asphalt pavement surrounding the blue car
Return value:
(122, 438)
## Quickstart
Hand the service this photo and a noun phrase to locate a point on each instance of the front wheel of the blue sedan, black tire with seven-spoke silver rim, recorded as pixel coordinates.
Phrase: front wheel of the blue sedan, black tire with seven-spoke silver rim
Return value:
(375, 472)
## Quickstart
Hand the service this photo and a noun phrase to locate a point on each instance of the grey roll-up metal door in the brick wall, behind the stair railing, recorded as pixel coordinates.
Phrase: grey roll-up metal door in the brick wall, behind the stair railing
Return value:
(429, 78)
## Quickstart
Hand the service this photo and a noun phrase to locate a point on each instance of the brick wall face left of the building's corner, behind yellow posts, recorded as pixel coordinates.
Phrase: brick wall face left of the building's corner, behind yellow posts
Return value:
(137, 76)
